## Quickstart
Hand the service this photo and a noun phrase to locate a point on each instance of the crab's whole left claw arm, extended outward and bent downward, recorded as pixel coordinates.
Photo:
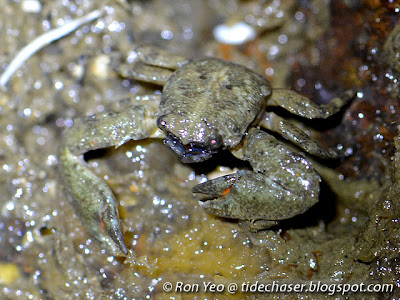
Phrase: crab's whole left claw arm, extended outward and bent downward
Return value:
(91, 197)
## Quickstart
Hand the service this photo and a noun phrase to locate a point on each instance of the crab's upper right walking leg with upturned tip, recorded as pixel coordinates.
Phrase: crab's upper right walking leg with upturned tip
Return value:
(304, 107)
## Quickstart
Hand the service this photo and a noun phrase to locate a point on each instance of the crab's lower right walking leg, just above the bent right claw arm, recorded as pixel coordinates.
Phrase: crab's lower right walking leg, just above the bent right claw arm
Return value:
(294, 134)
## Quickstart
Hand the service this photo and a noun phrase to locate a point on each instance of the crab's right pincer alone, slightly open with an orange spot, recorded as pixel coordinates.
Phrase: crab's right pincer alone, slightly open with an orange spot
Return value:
(257, 198)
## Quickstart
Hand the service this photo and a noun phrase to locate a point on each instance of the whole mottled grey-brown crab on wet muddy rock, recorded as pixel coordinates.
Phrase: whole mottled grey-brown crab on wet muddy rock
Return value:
(207, 105)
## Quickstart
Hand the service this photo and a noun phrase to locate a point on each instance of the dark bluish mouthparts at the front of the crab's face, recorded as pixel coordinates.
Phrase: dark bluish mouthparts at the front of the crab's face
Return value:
(190, 153)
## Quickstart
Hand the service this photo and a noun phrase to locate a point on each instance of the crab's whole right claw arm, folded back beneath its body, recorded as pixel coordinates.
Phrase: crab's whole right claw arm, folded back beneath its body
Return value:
(282, 185)
